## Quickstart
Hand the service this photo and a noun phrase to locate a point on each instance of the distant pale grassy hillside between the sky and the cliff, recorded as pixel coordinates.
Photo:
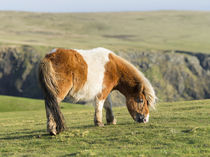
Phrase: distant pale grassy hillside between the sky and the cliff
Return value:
(159, 30)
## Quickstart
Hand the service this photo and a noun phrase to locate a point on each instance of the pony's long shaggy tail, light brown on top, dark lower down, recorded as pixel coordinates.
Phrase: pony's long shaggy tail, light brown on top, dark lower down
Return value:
(47, 80)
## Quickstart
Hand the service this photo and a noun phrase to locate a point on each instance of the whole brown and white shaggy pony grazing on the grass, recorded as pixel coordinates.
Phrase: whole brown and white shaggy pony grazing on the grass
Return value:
(92, 75)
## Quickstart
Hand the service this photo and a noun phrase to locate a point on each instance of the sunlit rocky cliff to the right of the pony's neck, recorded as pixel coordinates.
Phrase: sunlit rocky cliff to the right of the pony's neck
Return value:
(175, 75)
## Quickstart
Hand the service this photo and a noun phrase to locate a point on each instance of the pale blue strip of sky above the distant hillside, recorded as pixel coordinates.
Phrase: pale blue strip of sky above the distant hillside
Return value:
(103, 5)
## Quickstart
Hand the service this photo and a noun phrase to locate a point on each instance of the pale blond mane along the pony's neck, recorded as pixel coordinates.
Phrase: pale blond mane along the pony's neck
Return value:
(148, 89)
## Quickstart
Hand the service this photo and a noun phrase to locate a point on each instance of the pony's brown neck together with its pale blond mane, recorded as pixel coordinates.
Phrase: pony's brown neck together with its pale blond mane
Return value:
(131, 81)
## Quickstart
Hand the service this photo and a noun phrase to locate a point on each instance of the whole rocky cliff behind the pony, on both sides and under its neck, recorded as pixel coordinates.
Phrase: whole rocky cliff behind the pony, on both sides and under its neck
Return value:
(175, 75)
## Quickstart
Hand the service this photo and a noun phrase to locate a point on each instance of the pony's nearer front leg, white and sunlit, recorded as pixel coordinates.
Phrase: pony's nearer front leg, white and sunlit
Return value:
(98, 112)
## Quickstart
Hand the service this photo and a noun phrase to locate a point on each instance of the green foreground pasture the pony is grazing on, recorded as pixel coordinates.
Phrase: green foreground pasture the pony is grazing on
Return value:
(175, 129)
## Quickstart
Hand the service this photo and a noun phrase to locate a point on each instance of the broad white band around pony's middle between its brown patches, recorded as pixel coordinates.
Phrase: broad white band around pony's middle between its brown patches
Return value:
(96, 60)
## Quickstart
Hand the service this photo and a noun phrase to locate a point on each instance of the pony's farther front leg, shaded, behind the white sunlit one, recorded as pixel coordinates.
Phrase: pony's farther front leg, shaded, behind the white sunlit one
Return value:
(109, 114)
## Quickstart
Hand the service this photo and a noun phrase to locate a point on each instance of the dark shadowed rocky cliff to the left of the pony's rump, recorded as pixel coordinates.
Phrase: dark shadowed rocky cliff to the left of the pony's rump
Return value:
(18, 72)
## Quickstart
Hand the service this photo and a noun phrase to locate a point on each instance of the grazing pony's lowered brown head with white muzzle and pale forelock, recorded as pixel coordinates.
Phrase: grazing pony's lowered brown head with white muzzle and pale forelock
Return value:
(138, 105)
